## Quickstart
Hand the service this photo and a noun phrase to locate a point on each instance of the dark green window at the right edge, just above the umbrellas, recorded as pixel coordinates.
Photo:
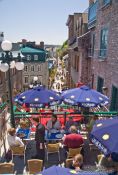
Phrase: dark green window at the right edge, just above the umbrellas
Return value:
(114, 99)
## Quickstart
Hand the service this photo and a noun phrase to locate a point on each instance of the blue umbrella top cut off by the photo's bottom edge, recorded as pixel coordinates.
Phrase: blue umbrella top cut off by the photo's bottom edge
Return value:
(56, 170)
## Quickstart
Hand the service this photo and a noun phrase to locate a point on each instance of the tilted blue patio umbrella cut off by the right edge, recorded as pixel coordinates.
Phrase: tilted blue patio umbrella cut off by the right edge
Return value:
(105, 136)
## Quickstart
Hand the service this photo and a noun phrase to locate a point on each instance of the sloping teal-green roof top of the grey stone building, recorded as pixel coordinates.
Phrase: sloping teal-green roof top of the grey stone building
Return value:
(32, 50)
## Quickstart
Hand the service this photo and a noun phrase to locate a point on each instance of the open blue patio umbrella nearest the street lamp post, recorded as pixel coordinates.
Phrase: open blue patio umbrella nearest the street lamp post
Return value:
(38, 97)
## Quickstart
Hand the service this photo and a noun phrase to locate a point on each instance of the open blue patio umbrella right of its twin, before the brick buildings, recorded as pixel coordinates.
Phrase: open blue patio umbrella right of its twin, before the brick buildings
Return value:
(84, 97)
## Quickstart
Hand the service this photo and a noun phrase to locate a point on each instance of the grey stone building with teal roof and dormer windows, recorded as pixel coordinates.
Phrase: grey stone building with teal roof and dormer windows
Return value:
(36, 65)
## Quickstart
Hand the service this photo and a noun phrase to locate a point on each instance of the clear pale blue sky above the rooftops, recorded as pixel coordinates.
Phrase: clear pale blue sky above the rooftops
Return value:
(38, 20)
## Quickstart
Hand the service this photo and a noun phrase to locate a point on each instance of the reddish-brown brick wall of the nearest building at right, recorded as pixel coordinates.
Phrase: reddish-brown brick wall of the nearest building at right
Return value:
(107, 68)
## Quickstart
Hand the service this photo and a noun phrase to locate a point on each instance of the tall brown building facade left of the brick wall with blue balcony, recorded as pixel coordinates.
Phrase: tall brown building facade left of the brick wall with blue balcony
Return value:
(78, 56)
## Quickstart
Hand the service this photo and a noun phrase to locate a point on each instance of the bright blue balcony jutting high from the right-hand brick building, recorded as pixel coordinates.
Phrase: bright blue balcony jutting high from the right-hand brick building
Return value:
(92, 15)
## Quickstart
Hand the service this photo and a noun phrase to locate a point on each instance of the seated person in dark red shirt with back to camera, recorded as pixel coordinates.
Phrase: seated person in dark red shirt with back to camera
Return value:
(73, 140)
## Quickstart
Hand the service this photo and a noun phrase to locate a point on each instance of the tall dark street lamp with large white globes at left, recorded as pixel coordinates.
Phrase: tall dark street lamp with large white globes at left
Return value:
(7, 62)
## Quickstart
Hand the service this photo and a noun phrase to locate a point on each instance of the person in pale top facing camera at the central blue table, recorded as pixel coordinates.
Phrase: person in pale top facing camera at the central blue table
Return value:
(53, 123)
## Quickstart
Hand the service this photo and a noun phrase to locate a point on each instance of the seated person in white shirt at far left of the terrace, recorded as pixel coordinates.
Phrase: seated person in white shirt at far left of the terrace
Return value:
(13, 140)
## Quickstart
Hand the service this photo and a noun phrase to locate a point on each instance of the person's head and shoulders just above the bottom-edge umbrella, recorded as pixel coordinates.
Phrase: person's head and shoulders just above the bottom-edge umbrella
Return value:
(77, 163)
